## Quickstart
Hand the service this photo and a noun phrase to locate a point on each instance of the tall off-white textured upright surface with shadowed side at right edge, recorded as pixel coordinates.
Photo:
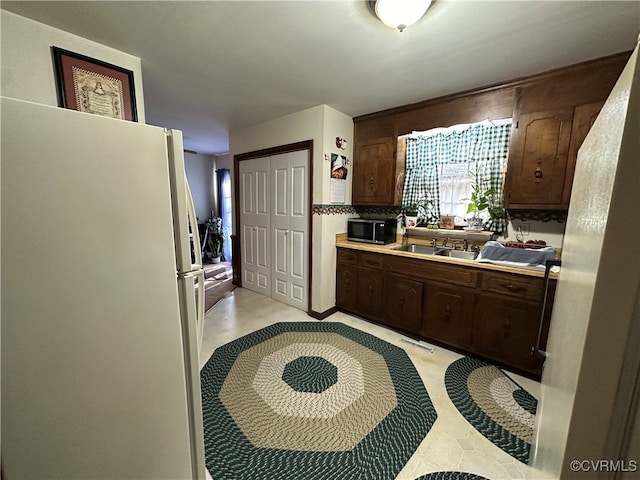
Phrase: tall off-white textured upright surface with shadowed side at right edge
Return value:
(588, 422)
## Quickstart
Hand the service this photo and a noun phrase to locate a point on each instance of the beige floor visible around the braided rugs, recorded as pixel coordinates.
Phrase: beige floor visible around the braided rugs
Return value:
(452, 443)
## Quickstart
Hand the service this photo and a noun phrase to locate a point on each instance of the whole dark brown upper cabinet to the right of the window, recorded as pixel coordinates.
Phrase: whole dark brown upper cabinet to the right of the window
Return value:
(552, 116)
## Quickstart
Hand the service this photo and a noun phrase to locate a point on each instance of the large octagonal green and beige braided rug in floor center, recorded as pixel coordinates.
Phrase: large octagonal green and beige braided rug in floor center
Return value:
(312, 401)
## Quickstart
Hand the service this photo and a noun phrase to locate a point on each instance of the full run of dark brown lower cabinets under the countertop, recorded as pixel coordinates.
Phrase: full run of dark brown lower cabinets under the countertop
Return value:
(489, 313)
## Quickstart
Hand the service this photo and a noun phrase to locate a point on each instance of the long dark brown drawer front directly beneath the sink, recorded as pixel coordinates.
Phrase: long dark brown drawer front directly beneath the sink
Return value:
(434, 271)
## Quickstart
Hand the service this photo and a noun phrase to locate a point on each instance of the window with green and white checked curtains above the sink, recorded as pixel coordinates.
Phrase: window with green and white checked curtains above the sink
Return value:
(443, 164)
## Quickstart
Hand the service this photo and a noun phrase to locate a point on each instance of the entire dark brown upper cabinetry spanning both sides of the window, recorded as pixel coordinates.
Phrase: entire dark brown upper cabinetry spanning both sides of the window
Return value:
(552, 113)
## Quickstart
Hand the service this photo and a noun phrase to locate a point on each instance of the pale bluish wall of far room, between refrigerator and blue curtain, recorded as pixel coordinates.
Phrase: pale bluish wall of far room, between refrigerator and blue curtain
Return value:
(199, 169)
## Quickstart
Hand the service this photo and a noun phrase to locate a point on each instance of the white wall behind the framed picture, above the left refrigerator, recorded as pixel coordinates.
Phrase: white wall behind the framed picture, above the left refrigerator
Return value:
(27, 62)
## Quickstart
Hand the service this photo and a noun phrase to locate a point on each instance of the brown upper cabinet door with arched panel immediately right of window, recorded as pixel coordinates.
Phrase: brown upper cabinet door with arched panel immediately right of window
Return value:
(538, 159)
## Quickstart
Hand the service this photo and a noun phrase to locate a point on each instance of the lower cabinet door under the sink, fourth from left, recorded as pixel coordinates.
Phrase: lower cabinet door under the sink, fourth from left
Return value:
(448, 314)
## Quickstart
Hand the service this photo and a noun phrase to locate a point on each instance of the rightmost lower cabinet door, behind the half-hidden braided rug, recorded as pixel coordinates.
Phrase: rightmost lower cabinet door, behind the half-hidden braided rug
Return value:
(505, 329)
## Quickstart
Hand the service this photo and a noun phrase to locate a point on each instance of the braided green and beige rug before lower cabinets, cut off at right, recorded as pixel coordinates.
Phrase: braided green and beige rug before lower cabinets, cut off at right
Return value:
(495, 405)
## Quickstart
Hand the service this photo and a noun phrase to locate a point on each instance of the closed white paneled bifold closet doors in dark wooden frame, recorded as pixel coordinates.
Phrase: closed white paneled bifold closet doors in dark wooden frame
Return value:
(274, 195)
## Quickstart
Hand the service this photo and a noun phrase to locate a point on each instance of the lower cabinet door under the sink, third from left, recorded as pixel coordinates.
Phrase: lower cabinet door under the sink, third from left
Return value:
(402, 303)
